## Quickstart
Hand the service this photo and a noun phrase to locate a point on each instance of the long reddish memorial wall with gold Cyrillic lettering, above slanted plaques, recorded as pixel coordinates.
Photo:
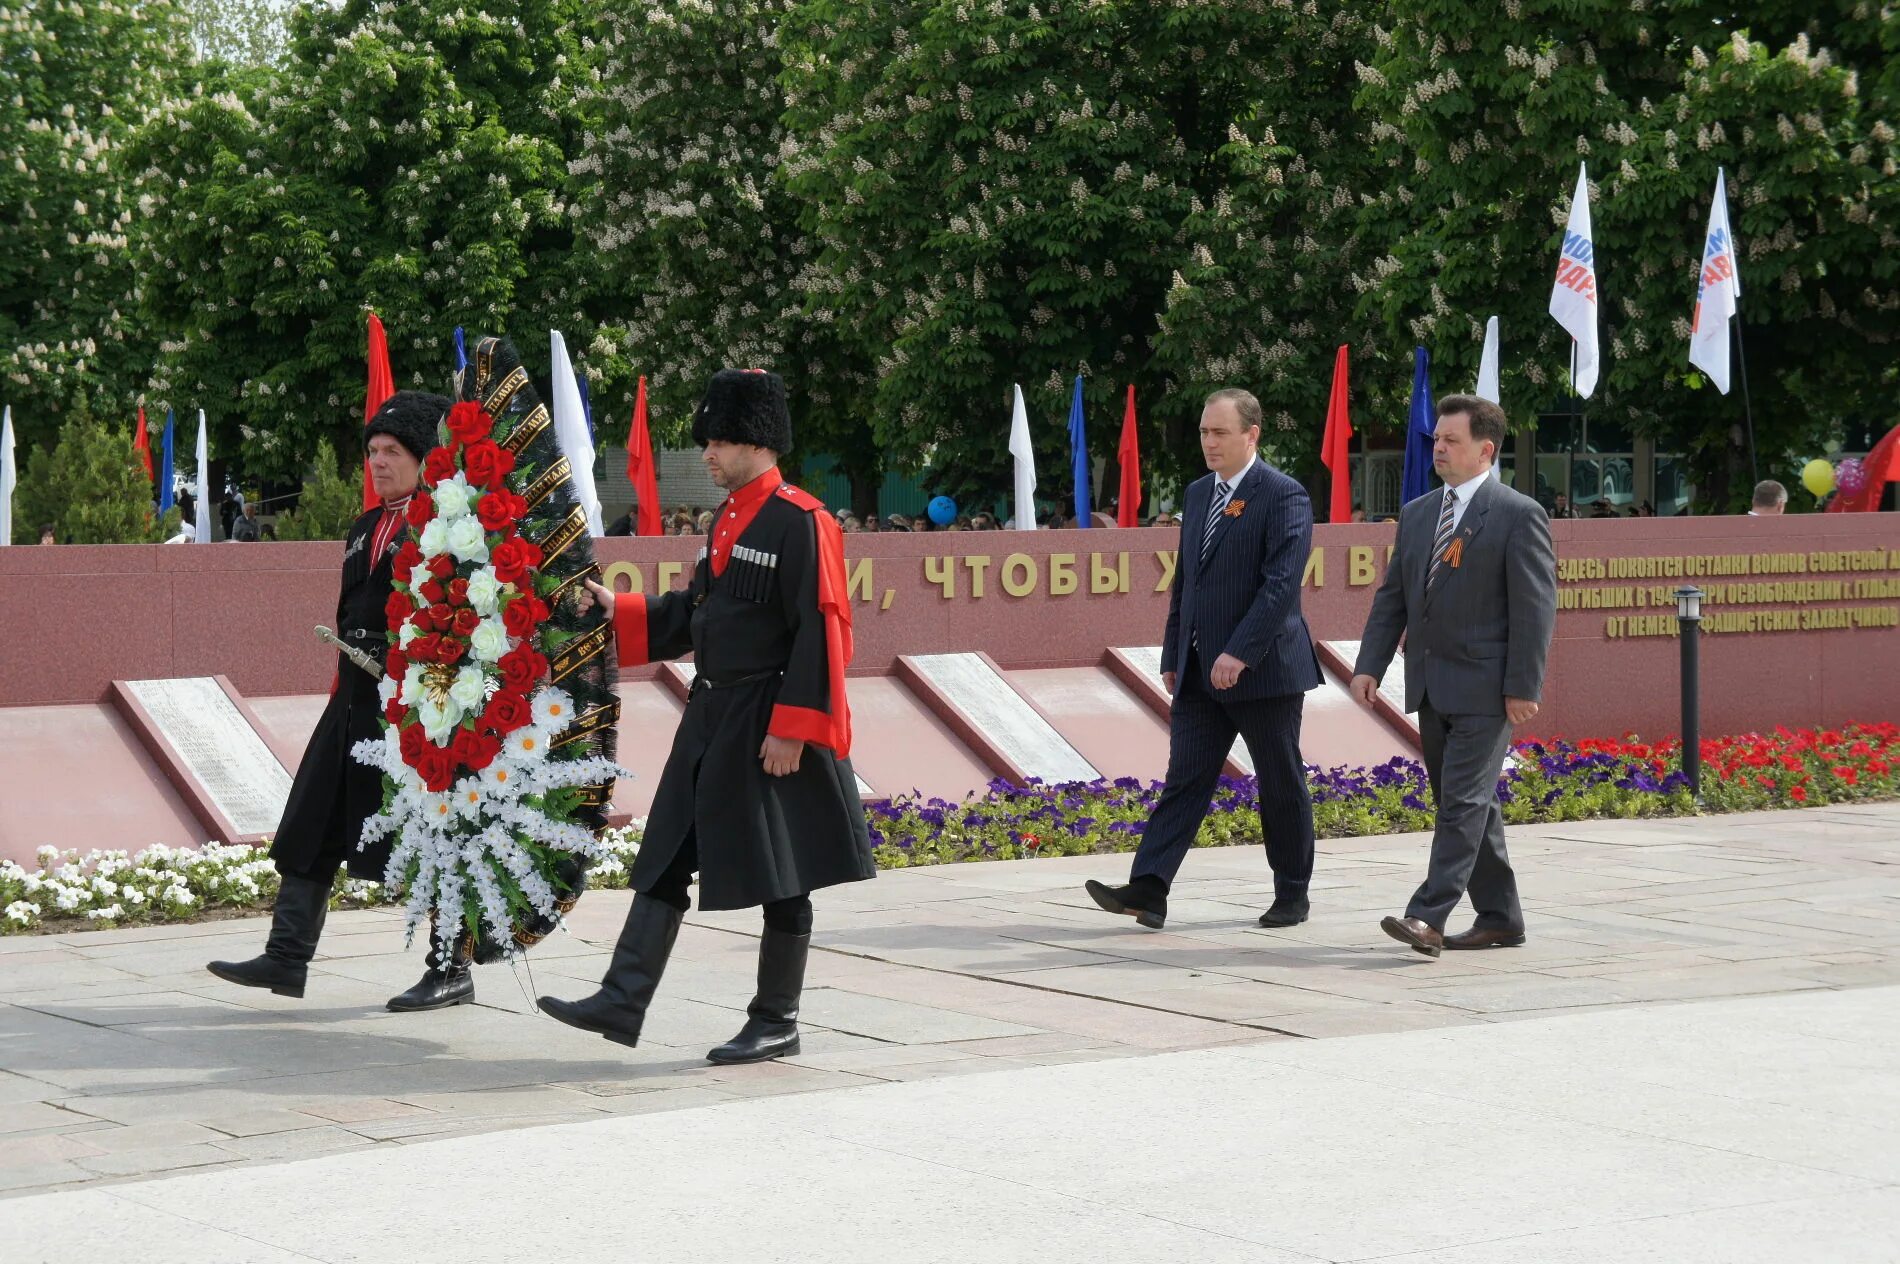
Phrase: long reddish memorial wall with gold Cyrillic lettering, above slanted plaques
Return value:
(1802, 613)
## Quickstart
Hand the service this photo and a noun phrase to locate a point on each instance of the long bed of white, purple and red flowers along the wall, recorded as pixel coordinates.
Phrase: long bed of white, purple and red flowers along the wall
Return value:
(1549, 782)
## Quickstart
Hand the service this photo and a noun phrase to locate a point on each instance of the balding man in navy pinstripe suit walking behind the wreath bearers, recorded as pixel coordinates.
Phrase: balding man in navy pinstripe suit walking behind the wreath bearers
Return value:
(1238, 661)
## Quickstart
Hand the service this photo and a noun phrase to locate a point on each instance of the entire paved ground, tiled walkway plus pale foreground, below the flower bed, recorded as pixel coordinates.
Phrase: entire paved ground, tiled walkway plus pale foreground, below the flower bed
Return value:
(1160, 1092)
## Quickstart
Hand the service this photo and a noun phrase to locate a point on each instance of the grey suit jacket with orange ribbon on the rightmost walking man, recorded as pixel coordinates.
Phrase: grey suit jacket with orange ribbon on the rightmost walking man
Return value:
(1485, 630)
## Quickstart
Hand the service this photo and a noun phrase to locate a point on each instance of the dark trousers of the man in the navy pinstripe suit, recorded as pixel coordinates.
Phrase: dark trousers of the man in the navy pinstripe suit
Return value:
(1202, 731)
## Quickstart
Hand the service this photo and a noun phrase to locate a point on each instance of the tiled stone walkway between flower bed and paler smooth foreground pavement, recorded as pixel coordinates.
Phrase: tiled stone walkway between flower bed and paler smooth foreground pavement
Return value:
(109, 1039)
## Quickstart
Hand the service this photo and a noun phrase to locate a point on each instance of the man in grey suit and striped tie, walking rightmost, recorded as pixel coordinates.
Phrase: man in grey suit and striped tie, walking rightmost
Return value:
(1473, 588)
